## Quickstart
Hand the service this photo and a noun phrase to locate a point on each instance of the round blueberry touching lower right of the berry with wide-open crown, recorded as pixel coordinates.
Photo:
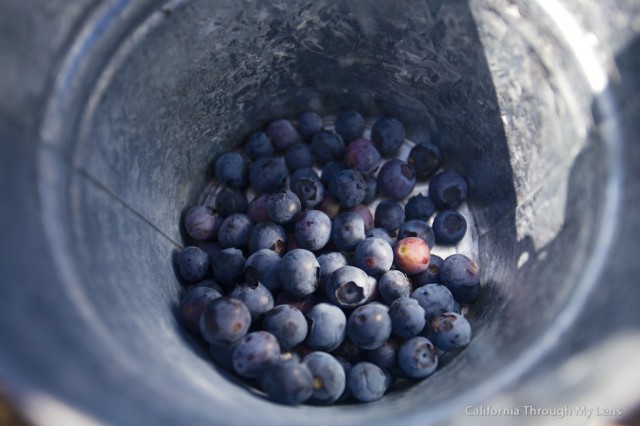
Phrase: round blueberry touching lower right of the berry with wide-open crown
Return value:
(369, 326)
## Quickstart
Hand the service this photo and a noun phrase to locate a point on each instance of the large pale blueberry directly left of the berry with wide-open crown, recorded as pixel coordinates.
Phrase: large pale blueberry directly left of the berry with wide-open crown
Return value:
(299, 272)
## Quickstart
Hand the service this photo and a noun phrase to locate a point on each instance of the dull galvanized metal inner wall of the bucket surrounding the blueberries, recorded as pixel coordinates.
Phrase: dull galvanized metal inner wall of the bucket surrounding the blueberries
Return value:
(137, 118)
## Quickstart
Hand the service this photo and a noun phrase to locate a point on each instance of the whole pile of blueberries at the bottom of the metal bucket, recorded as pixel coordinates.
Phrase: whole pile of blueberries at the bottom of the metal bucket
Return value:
(303, 292)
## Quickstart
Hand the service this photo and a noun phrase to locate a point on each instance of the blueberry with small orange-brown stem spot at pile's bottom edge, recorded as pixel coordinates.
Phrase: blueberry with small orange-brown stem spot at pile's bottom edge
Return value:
(329, 378)
